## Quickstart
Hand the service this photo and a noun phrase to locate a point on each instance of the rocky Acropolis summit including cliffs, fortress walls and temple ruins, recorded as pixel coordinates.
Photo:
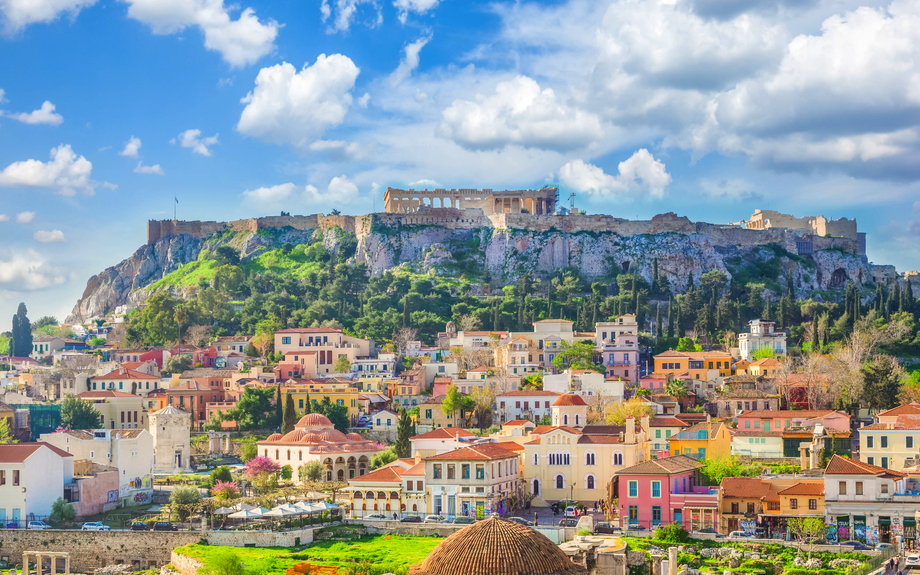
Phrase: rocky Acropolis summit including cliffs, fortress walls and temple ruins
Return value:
(495, 236)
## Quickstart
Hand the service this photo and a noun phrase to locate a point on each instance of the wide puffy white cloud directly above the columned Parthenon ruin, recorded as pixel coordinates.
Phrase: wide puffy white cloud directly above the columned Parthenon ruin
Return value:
(519, 113)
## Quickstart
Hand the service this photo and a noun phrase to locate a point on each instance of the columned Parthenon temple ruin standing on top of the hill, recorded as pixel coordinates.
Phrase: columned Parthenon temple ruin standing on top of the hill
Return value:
(536, 202)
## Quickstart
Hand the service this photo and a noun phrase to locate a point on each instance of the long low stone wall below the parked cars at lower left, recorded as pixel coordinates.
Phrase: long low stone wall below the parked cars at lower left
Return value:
(92, 549)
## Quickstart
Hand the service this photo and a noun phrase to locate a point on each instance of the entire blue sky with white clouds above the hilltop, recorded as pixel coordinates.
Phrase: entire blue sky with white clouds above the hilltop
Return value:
(708, 108)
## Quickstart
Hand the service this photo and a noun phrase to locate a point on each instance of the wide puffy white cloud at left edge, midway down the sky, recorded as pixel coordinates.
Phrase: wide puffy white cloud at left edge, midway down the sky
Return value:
(67, 173)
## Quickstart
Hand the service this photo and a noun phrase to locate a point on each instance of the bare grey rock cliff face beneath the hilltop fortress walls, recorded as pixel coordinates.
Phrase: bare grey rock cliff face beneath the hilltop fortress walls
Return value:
(497, 256)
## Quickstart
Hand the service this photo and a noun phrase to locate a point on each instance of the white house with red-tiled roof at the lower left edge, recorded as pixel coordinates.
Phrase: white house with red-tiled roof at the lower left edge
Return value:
(32, 477)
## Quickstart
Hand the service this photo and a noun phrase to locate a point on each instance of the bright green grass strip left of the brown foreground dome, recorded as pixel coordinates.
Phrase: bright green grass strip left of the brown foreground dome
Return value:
(385, 553)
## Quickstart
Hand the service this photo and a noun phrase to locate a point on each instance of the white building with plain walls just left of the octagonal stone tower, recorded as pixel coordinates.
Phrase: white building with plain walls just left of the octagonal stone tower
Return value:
(128, 450)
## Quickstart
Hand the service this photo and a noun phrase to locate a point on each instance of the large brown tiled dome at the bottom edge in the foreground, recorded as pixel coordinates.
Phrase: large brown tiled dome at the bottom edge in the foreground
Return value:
(497, 547)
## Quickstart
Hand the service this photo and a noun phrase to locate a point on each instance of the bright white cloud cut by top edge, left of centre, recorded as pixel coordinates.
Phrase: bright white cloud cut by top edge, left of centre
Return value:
(240, 42)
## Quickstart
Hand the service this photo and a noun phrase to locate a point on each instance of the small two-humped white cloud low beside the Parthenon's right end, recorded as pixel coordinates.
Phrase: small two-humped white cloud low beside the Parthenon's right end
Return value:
(640, 173)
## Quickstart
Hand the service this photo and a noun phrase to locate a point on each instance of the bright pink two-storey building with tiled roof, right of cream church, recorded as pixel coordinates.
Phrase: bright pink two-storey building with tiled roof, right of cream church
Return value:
(665, 491)
